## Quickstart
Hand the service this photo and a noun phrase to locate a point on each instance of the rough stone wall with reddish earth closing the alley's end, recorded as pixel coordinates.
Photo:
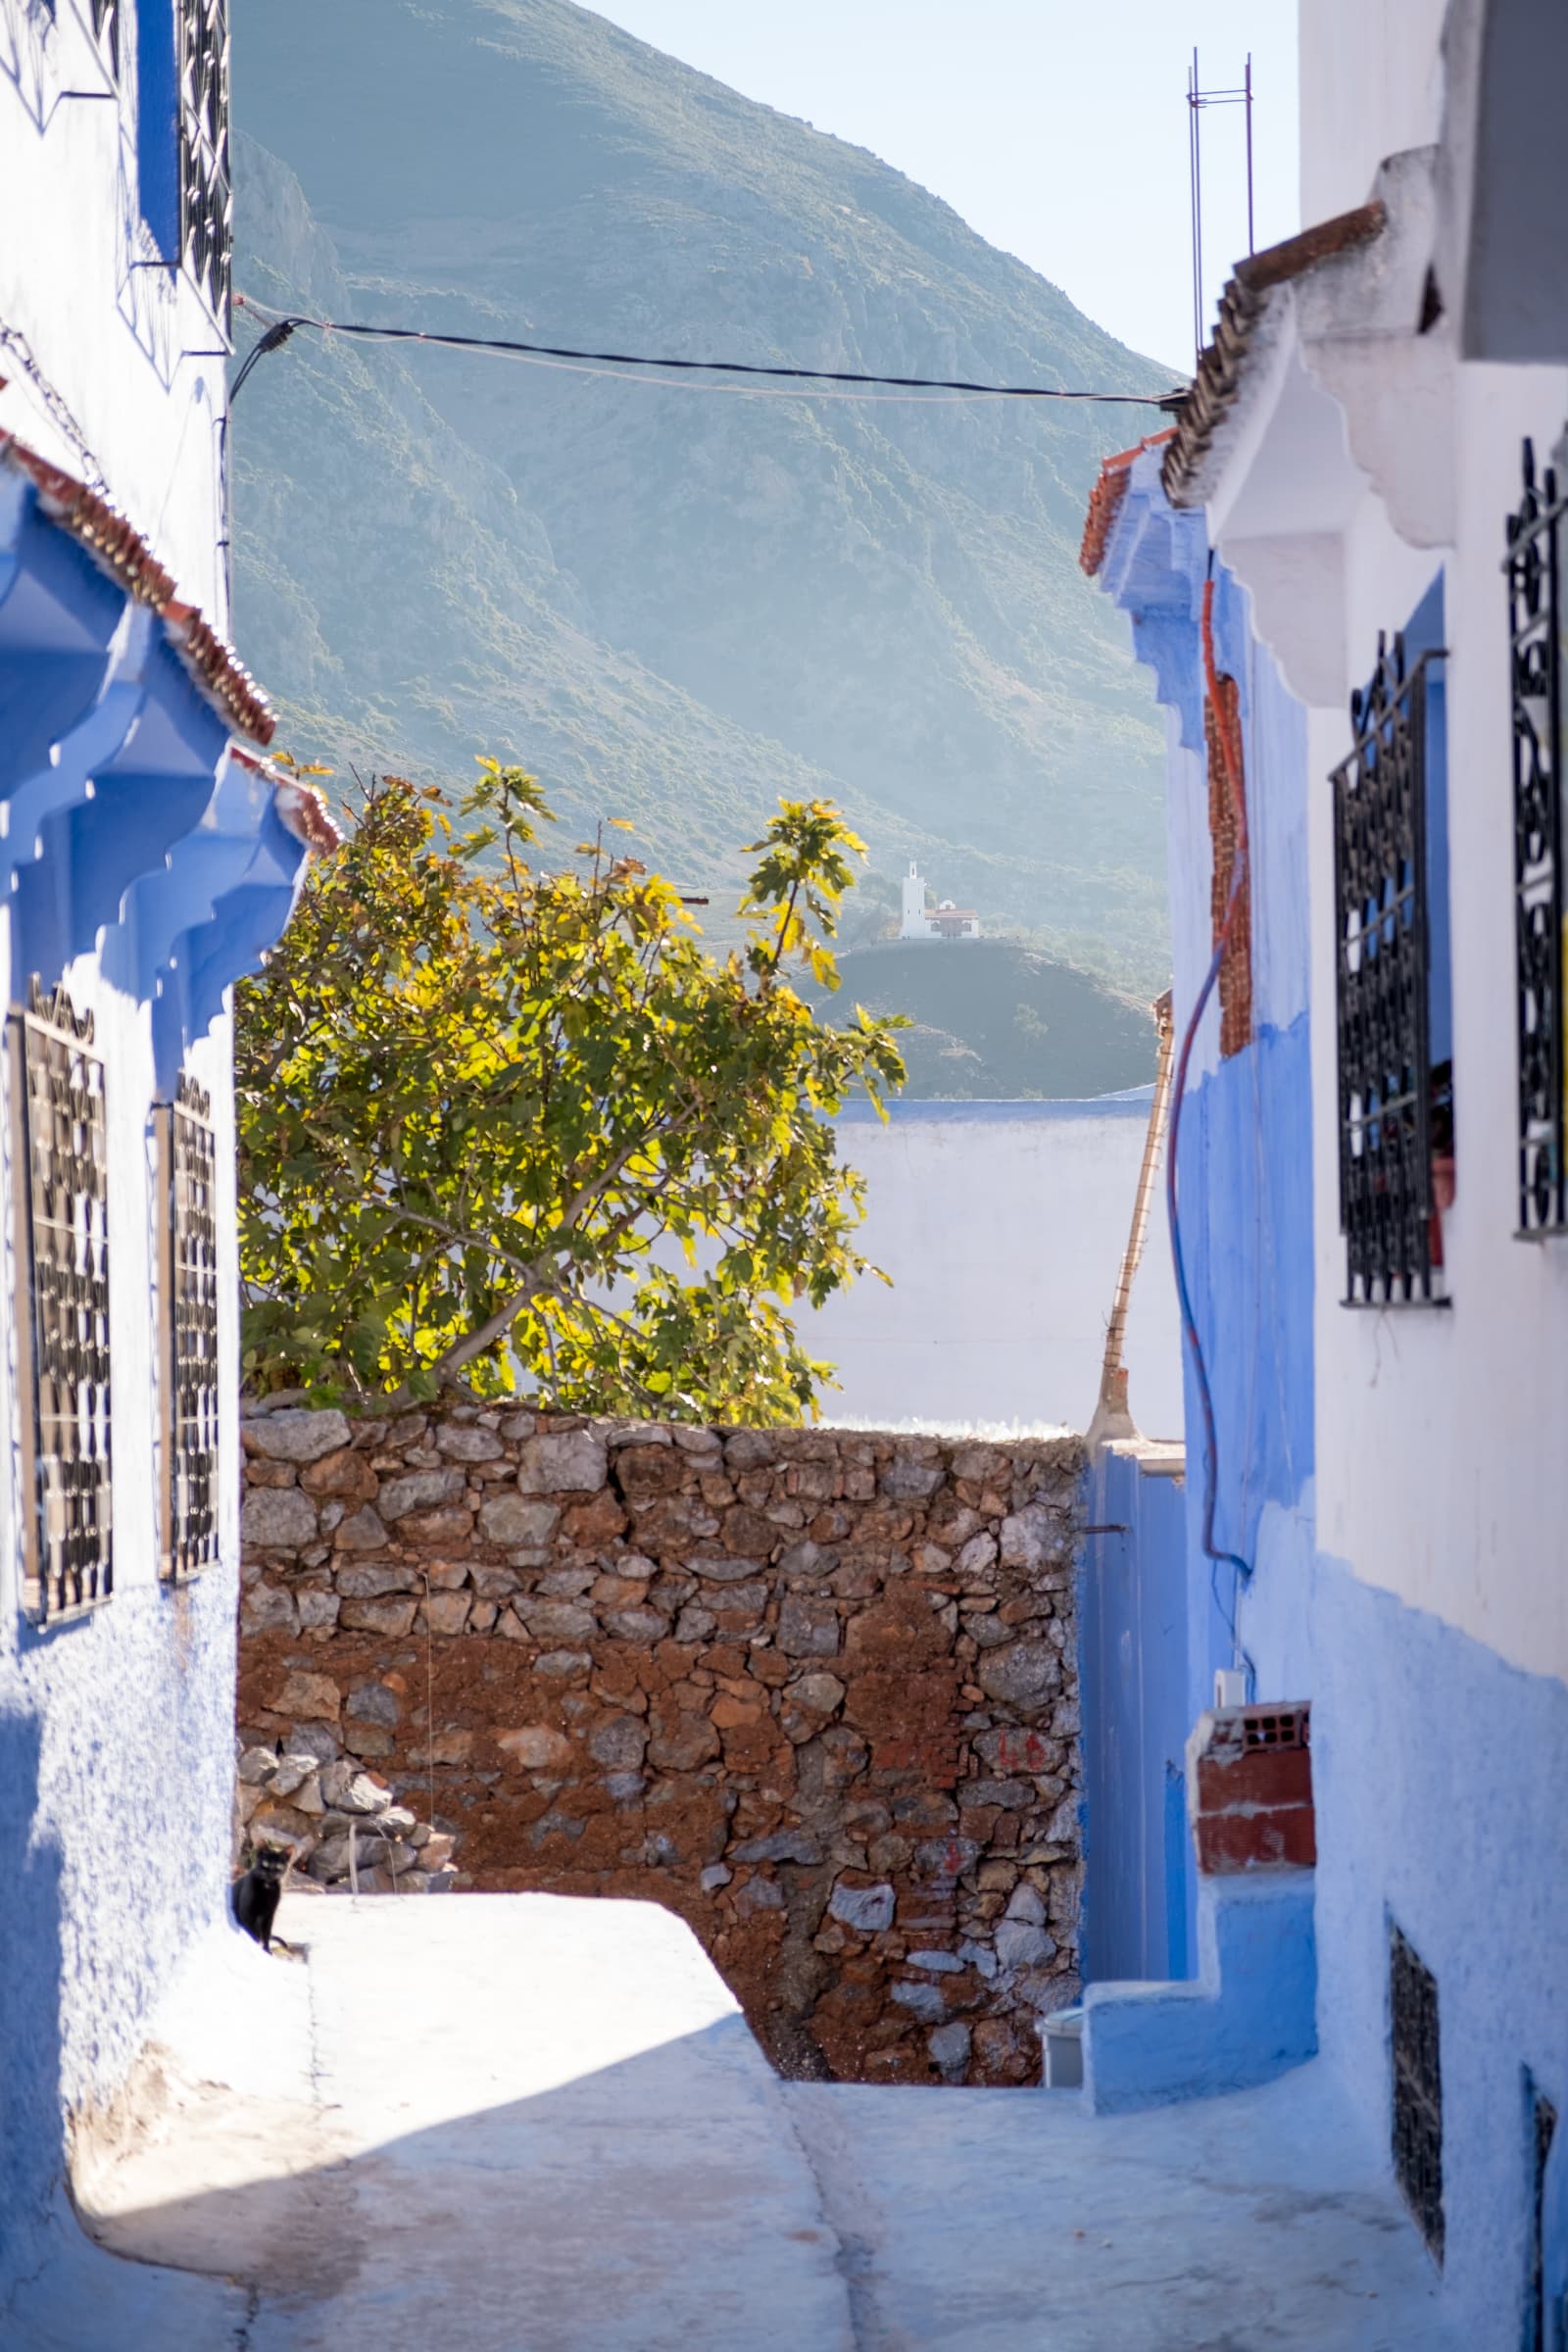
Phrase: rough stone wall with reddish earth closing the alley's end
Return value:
(817, 1692)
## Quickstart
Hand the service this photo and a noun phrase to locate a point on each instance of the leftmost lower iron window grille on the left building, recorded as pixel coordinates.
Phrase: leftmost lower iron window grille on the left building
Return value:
(60, 1158)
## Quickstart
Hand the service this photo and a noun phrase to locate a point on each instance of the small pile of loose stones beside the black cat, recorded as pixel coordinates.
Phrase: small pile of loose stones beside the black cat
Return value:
(340, 1824)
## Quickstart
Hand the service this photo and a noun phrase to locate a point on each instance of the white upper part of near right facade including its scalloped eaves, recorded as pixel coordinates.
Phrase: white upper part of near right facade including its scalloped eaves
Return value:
(1358, 465)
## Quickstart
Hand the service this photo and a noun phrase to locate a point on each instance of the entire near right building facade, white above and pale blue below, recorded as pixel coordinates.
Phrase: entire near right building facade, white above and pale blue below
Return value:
(1414, 1586)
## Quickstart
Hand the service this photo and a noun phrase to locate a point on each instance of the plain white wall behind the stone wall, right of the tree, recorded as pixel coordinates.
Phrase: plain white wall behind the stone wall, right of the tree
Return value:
(1003, 1227)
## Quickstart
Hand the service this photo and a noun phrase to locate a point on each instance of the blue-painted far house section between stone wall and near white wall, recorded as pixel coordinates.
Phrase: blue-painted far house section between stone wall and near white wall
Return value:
(1160, 1615)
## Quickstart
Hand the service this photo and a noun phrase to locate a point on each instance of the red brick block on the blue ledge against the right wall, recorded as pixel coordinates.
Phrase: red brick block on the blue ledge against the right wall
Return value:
(1249, 1791)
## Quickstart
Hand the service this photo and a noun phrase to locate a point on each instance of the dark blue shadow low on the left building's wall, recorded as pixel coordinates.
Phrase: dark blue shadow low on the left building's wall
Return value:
(32, 1958)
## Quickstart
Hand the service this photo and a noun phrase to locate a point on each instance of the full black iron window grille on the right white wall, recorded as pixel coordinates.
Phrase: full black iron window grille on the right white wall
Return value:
(1395, 1109)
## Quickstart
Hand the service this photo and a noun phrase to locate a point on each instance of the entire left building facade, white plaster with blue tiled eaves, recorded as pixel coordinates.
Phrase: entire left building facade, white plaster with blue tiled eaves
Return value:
(142, 867)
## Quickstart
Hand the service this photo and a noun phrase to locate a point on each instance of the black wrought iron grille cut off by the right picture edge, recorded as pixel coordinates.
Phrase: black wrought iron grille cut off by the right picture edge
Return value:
(1536, 664)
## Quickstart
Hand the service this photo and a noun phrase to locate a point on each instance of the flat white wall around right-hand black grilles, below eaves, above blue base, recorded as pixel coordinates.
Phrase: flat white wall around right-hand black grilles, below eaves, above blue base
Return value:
(1440, 1471)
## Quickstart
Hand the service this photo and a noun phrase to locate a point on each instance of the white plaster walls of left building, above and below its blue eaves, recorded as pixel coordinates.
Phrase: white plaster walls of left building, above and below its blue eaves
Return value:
(116, 1732)
